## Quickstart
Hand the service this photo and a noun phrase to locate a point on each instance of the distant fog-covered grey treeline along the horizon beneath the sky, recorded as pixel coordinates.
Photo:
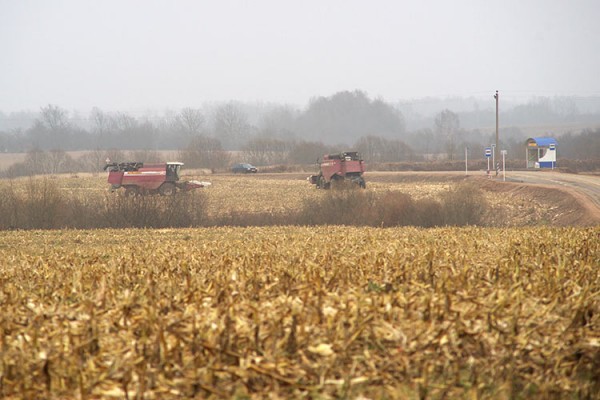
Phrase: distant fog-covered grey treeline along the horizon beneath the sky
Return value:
(284, 135)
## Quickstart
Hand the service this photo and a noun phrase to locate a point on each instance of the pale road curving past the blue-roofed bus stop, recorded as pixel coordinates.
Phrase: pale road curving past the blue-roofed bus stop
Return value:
(585, 184)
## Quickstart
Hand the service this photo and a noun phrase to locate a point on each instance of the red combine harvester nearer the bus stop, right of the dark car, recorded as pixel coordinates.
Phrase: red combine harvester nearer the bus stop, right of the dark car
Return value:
(345, 166)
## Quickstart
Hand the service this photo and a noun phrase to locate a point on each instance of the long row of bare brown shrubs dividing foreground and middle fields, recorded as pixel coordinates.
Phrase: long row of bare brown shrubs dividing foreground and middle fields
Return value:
(42, 205)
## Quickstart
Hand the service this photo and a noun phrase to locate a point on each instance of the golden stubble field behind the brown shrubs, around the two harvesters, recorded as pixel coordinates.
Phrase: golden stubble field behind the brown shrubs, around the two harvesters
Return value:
(281, 193)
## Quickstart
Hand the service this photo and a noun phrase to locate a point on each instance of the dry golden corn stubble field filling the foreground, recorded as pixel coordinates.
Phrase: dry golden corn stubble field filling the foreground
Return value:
(292, 312)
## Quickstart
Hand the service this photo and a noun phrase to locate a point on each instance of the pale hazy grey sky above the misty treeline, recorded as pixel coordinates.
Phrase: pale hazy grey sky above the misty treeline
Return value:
(119, 54)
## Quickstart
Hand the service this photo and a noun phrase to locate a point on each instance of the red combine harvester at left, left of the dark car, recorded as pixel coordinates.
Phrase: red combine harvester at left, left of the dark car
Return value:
(140, 179)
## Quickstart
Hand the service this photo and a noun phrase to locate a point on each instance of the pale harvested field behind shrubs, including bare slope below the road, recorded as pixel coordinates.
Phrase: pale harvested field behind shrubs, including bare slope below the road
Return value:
(279, 194)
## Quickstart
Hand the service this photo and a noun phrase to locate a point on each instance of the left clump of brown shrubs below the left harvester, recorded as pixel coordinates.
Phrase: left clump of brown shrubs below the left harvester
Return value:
(42, 205)
